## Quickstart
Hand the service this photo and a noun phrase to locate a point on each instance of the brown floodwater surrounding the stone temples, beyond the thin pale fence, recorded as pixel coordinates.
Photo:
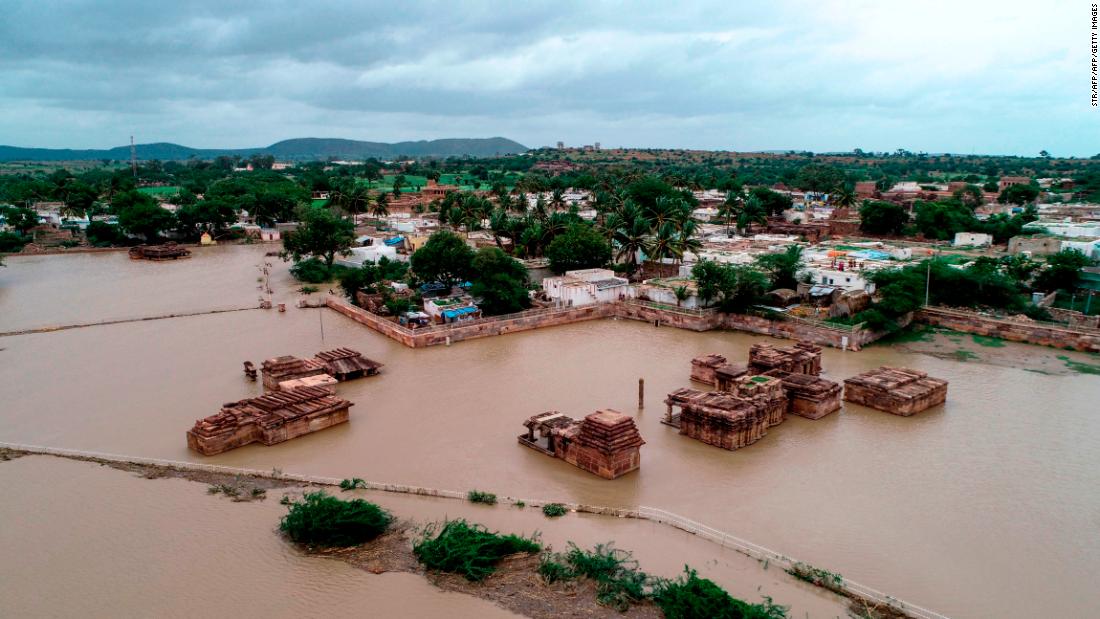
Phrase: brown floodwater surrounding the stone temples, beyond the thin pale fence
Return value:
(985, 507)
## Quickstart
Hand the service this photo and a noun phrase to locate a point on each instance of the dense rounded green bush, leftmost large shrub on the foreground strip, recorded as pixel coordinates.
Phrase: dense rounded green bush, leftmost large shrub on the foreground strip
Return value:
(328, 522)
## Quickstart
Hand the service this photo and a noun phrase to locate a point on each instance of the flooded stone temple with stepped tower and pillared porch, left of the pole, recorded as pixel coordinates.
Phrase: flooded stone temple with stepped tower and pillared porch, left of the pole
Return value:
(606, 443)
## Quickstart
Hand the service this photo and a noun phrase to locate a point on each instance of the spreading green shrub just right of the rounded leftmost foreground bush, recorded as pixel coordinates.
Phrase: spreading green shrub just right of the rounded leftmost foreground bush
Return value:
(467, 549)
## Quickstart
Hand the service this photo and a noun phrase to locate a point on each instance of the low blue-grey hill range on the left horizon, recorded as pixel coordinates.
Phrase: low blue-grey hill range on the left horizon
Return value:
(301, 149)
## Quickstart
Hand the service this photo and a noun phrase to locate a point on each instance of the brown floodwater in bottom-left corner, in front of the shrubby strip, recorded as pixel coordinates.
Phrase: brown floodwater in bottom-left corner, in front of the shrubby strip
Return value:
(80, 540)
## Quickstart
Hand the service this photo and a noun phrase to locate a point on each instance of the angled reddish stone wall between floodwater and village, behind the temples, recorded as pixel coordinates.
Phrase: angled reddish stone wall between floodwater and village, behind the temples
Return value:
(666, 317)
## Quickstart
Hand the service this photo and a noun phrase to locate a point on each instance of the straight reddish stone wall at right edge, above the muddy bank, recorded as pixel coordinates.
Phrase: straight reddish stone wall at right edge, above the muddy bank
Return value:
(1028, 333)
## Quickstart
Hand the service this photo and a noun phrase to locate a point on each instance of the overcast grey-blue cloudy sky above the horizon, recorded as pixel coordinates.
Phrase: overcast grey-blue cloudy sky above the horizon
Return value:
(961, 76)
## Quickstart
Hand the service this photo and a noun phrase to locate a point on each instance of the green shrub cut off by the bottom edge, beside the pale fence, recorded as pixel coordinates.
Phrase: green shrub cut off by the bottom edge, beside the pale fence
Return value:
(691, 598)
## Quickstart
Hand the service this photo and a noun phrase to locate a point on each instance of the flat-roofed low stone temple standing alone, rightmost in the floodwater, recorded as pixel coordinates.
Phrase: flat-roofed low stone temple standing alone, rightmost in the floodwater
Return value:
(898, 391)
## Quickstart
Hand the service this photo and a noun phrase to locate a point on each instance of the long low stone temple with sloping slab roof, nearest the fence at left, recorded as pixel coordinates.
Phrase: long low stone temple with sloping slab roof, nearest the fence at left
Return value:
(269, 419)
